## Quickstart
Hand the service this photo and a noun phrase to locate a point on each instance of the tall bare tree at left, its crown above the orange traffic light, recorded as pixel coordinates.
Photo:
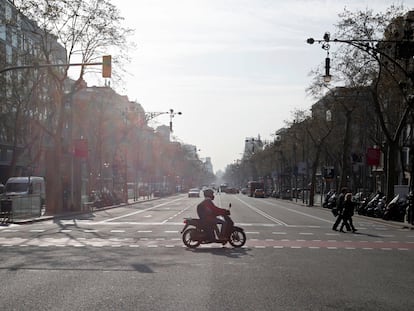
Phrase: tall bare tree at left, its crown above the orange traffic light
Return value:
(87, 30)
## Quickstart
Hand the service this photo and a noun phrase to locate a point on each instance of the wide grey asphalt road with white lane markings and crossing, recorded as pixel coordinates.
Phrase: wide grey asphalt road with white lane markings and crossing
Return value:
(132, 258)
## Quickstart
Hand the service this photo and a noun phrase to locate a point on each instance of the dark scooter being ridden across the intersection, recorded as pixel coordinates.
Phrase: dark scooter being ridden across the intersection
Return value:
(193, 234)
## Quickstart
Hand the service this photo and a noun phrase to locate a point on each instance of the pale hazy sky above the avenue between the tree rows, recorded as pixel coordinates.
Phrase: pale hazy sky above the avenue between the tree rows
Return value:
(234, 68)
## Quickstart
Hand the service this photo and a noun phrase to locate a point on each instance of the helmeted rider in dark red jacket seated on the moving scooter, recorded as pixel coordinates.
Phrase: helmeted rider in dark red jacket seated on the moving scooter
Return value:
(208, 212)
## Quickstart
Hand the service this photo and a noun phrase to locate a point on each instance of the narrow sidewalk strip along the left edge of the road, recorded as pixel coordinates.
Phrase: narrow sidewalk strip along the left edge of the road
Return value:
(69, 214)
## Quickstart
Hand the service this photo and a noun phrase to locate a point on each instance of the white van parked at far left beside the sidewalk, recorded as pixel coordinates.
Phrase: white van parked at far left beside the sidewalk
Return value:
(26, 185)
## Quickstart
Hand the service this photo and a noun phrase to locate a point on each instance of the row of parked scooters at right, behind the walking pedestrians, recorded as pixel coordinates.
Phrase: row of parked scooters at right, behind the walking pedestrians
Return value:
(375, 205)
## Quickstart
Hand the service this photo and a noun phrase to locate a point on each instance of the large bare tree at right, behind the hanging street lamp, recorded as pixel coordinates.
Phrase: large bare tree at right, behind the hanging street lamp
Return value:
(366, 57)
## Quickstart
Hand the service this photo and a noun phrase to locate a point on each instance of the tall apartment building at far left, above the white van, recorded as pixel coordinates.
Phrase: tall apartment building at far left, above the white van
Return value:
(23, 91)
